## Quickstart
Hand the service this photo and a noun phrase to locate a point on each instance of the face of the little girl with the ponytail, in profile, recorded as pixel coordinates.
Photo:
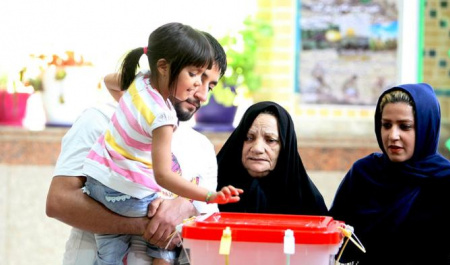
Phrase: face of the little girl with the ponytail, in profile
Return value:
(189, 81)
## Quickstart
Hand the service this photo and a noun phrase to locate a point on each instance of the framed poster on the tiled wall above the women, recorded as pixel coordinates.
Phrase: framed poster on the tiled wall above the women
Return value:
(348, 50)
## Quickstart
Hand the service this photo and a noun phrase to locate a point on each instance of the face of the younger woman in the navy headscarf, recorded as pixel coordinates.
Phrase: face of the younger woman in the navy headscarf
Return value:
(398, 132)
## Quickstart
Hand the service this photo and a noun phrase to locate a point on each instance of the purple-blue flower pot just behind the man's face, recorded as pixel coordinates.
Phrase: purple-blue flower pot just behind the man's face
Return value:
(215, 117)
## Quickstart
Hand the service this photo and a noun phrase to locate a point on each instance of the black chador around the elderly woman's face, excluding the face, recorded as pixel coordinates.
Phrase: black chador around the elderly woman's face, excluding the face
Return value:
(285, 190)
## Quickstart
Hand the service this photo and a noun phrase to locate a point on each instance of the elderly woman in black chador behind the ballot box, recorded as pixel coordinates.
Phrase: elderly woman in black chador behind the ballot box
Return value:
(261, 157)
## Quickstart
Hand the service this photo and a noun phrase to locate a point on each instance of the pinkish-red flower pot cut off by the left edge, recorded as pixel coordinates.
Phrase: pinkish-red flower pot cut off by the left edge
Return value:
(13, 108)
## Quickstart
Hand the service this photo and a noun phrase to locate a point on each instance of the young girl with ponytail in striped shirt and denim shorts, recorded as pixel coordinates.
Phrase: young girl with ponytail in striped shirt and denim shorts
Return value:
(131, 164)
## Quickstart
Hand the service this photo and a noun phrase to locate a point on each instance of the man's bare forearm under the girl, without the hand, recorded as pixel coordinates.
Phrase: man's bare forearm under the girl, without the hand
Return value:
(67, 203)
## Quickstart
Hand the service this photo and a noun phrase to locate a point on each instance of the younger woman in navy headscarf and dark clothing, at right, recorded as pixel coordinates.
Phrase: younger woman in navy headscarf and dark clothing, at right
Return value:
(398, 201)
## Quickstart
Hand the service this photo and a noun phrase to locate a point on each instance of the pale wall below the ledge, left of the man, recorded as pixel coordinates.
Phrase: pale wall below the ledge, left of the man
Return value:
(27, 235)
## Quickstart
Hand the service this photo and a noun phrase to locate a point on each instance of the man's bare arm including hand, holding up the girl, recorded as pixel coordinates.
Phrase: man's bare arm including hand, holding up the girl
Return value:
(67, 203)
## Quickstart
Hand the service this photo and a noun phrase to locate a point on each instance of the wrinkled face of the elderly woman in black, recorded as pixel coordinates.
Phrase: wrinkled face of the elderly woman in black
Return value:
(261, 146)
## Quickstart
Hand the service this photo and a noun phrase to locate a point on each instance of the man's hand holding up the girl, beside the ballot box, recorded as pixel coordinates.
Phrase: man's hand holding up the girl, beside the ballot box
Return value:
(165, 216)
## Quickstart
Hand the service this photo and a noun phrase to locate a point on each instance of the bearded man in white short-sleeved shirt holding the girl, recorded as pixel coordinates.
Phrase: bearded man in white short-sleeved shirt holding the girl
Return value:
(67, 203)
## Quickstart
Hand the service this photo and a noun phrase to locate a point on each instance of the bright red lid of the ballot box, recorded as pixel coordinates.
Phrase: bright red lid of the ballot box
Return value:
(267, 228)
